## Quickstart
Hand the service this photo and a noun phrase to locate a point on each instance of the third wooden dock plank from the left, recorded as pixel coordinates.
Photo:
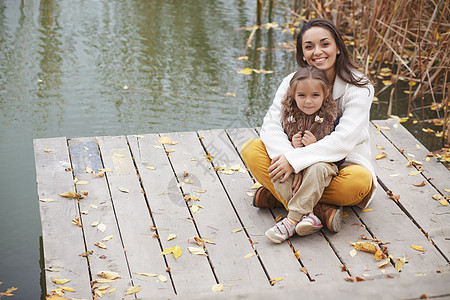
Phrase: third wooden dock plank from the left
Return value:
(133, 217)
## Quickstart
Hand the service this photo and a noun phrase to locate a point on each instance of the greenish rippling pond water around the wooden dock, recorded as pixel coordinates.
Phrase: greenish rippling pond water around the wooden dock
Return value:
(91, 68)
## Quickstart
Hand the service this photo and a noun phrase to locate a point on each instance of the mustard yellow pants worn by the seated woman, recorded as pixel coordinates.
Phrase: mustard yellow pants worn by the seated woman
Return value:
(350, 187)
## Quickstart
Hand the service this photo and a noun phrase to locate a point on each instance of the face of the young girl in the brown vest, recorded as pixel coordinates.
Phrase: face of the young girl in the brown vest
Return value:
(309, 95)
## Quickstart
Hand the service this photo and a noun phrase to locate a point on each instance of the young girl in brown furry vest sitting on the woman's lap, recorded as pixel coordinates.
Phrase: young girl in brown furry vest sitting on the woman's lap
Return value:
(308, 114)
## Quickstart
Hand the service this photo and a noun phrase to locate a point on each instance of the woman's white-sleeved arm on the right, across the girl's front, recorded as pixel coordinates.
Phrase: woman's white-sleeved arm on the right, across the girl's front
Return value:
(351, 130)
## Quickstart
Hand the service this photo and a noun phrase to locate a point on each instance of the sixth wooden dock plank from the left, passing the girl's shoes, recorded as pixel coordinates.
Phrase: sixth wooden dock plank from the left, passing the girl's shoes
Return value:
(278, 260)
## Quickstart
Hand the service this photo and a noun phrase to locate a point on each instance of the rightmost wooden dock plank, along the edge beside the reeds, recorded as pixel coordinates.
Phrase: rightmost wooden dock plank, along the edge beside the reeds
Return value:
(414, 150)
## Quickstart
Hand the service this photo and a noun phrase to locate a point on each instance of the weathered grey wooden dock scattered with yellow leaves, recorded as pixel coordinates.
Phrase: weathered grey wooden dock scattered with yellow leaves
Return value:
(141, 193)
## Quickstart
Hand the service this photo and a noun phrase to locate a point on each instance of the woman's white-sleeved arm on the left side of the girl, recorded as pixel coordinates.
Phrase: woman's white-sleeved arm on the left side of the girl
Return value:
(272, 133)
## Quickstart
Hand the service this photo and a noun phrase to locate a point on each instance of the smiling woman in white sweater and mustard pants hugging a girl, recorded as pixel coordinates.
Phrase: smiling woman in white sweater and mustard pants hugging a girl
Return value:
(273, 158)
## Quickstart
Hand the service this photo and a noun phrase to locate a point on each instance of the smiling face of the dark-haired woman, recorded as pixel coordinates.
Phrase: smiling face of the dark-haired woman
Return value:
(320, 49)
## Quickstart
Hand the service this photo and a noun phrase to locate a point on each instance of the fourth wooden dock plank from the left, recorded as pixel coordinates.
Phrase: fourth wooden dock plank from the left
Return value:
(190, 273)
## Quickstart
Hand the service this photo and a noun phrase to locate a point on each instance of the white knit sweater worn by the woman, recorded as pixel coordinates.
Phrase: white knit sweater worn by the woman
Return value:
(350, 140)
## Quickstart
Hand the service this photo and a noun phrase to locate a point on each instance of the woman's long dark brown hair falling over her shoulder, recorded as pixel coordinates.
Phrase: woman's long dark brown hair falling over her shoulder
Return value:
(344, 65)
